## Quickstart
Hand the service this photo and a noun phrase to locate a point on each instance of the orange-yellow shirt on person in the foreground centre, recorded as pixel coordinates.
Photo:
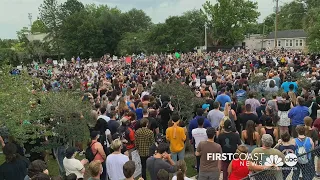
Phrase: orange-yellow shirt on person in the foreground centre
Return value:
(176, 136)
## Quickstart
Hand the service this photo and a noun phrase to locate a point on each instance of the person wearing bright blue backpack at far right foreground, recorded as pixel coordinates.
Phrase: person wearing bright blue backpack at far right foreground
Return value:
(305, 165)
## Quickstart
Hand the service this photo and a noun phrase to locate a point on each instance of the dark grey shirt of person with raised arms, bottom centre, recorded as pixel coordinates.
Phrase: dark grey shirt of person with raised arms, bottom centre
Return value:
(155, 164)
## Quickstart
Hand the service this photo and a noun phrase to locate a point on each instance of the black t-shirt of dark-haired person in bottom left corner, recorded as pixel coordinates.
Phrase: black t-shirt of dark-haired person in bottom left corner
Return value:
(16, 170)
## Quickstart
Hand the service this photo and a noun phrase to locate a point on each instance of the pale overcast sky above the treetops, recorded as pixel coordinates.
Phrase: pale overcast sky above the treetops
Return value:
(14, 13)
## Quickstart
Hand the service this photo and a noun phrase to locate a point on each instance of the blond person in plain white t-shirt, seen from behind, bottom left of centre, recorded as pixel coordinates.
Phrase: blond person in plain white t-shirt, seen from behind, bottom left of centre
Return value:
(115, 161)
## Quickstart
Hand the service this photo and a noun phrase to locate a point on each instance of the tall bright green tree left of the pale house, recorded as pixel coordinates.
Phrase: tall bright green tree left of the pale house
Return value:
(230, 18)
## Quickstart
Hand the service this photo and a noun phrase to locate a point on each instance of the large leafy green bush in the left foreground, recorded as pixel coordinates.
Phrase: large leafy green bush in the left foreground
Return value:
(29, 114)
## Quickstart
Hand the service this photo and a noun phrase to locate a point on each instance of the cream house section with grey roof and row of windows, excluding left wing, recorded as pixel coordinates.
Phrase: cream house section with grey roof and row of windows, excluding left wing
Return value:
(288, 39)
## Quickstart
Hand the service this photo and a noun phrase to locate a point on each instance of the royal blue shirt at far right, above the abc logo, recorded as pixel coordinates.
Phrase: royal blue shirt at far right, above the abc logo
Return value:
(297, 114)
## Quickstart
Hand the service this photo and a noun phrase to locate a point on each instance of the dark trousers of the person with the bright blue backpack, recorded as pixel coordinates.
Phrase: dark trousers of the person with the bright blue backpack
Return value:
(308, 171)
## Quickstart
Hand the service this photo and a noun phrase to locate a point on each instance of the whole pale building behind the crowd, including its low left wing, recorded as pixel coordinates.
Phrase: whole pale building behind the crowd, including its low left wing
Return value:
(288, 39)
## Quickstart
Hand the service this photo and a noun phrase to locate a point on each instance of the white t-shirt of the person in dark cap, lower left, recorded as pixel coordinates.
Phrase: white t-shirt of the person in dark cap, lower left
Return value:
(73, 166)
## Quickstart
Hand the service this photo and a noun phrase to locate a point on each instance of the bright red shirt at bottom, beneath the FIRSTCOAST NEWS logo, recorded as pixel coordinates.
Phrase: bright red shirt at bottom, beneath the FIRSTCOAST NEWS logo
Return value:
(239, 169)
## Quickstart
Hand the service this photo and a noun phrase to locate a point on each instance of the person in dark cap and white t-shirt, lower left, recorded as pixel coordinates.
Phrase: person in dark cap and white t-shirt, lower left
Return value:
(72, 165)
